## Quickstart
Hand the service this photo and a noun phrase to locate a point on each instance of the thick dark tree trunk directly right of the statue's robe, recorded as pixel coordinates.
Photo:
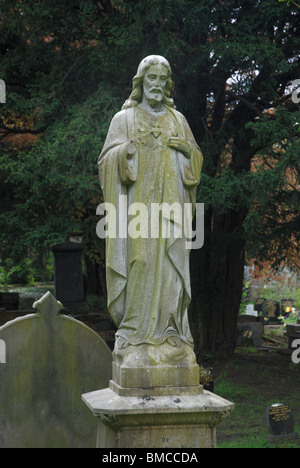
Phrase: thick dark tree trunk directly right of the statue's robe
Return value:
(217, 272)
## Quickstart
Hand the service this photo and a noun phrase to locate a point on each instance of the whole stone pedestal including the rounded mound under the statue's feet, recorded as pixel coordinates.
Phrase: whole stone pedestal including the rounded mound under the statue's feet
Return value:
(154, 400)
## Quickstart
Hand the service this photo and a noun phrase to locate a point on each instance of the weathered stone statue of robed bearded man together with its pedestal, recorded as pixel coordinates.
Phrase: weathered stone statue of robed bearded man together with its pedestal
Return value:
(150, 157)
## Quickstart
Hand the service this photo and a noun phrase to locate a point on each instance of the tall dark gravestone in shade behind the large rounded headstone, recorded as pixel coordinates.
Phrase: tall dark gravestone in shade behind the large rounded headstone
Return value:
(68, 275)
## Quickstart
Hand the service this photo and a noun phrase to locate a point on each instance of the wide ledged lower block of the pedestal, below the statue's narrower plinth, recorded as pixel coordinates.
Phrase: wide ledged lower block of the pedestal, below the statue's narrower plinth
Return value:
(165, 417)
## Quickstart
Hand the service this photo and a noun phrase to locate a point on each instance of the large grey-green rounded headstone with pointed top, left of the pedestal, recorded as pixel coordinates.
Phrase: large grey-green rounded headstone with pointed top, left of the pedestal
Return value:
(50, 360)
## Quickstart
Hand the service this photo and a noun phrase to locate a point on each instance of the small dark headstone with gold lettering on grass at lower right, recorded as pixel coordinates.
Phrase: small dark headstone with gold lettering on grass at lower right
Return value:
(280, 422)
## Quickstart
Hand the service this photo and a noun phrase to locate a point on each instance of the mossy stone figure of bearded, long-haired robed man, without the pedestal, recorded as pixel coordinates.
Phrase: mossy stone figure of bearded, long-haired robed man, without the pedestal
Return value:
(150, 156)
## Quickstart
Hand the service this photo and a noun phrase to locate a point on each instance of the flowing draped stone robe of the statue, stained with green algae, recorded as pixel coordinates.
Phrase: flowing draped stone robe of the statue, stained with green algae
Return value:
(148, 280)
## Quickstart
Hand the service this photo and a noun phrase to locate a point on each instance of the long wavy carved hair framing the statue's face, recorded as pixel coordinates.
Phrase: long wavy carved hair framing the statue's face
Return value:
(138, 81)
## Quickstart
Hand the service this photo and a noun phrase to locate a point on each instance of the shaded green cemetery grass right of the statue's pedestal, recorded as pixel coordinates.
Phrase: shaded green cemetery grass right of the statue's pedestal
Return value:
(254, 379)
